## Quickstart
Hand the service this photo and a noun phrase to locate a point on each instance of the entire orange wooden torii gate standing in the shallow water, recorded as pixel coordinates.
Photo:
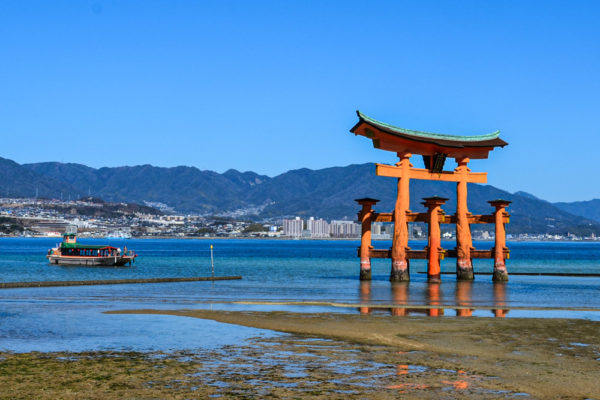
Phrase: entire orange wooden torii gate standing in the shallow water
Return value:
(435, 149)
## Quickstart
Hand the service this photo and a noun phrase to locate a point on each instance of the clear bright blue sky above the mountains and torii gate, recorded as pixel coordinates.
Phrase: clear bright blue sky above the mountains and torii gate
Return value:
(270, 86)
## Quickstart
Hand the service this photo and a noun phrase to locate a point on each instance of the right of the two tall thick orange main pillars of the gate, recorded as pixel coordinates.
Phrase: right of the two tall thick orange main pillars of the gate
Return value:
(464, 264)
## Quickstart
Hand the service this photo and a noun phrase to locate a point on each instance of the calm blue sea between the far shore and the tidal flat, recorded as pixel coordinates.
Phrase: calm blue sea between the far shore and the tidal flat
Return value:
(274, 271)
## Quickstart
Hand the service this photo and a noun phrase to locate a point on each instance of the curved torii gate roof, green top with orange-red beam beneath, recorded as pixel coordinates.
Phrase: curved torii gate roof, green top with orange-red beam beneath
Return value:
(393, 138)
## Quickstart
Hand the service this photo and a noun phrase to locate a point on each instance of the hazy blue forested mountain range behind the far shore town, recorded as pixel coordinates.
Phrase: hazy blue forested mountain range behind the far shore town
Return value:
(328, 193)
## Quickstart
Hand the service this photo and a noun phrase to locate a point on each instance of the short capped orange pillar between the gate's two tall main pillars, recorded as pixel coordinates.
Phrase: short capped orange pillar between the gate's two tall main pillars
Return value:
(434, 248)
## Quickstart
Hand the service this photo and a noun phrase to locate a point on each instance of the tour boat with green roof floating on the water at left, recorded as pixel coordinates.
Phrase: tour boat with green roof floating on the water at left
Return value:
(69, 252)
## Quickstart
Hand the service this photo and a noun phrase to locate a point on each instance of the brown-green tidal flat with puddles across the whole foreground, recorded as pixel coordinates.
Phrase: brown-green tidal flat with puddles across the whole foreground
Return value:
(333, 356)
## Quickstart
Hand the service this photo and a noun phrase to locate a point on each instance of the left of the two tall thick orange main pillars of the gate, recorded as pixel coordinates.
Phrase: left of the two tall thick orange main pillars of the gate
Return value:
(400, 266)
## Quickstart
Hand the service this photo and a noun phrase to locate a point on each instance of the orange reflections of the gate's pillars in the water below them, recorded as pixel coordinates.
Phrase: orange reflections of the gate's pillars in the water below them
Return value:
(432, 298)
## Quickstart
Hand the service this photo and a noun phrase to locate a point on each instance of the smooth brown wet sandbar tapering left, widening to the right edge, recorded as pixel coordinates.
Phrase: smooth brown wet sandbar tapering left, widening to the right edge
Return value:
(545, 358)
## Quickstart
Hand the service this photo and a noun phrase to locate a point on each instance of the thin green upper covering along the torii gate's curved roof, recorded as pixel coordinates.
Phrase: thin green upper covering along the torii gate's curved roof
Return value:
(490, 139)
